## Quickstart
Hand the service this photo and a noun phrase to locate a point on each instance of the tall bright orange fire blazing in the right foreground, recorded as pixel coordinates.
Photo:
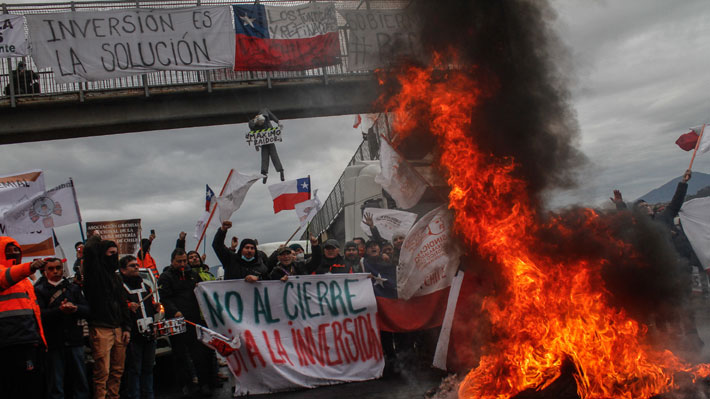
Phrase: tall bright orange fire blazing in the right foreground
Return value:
(550, 310)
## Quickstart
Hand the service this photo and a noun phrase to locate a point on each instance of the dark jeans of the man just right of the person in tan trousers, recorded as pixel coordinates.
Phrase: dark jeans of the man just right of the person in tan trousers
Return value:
(140, 358)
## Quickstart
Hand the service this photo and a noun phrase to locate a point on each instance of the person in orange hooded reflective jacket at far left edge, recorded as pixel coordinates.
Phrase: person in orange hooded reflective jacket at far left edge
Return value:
(22, 339)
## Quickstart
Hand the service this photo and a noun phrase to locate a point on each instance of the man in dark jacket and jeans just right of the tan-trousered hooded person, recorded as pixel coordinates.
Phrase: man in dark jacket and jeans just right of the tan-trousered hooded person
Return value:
(140, 355)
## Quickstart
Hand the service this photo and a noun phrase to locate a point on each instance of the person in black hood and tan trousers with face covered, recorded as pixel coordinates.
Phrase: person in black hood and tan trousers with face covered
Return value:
(109, 317)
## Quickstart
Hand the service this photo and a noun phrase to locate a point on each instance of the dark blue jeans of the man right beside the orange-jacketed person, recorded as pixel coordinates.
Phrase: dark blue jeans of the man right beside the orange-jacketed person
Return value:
(69, 358)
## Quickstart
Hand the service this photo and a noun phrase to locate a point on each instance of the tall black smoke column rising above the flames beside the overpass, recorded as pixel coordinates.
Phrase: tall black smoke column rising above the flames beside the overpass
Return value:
(527, 112)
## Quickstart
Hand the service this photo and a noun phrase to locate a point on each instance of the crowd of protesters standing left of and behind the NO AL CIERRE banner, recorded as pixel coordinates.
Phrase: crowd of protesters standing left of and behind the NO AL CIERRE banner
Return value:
(108, 307)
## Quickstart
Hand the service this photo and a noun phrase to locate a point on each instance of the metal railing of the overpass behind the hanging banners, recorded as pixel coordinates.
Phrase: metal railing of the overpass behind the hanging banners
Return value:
(49, 87)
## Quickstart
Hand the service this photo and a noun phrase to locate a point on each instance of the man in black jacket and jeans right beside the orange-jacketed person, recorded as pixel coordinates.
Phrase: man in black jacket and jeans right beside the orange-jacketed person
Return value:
(63, 306)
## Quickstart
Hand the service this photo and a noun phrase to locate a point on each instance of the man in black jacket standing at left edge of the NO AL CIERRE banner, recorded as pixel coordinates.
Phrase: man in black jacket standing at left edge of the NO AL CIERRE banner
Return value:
(177, 294)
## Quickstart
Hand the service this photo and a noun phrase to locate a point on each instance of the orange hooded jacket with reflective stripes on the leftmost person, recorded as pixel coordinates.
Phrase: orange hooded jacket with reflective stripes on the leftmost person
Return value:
(20, 316)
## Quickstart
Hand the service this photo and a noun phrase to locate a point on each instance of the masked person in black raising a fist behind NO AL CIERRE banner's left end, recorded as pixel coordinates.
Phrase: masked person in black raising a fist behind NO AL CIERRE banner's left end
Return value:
(245, 263)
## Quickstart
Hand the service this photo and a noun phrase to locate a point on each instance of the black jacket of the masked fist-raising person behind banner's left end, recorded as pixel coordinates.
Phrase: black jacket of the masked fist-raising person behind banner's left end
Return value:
(234, 266)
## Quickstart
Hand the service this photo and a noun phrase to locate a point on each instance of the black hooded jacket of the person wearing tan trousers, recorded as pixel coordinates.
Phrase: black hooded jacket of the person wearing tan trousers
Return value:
(103, 287)
